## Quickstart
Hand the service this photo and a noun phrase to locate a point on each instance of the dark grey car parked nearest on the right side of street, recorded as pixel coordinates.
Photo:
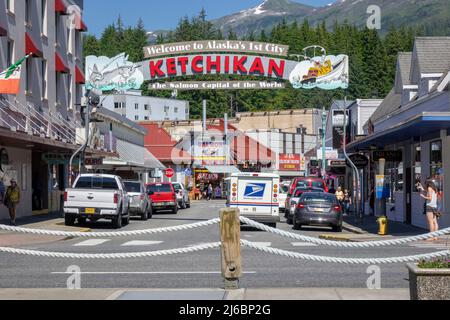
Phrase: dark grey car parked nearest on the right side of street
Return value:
(318, 209)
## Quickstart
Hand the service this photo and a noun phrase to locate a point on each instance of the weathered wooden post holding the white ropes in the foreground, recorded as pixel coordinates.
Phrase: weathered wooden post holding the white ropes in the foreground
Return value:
(230, 234)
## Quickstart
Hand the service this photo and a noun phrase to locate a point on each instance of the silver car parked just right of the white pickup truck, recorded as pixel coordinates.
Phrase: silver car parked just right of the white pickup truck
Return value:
(140, 203)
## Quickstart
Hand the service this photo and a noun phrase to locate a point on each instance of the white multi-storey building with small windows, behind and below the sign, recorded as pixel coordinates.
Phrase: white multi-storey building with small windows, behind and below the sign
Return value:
(136, 107)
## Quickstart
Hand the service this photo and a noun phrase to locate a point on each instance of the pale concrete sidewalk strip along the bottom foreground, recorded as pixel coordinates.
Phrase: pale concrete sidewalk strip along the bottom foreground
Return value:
(206, 294)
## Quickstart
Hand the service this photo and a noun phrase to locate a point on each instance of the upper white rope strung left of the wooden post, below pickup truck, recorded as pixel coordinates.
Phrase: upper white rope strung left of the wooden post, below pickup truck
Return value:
(110, 234)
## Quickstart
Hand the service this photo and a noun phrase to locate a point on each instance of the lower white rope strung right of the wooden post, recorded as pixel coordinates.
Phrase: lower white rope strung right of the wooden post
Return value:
(371, 261)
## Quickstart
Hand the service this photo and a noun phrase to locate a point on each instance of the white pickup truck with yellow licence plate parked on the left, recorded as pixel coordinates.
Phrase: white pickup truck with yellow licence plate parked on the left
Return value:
(95, 197)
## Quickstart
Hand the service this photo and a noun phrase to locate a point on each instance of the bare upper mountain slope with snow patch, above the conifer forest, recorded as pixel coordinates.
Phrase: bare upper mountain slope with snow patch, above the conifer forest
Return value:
(435, 14)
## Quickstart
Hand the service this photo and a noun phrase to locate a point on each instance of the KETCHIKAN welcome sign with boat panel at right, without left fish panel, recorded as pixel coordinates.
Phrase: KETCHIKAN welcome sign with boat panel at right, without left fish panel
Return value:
(241, 58)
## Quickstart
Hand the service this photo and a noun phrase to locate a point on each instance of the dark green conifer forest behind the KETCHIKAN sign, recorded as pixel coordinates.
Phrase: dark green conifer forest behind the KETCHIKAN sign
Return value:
(372, 61)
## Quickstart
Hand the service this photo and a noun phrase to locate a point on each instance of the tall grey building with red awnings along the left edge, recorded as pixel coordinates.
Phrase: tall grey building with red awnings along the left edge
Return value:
(38, 126)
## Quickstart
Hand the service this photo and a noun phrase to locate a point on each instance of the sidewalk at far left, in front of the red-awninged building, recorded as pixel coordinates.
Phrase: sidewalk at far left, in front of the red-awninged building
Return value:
(46, 222)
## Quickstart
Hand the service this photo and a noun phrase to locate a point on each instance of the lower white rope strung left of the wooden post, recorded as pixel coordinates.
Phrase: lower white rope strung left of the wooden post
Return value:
(134, 255)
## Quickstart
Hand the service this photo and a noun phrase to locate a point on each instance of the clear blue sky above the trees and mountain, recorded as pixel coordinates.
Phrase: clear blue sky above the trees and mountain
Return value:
(163, 14)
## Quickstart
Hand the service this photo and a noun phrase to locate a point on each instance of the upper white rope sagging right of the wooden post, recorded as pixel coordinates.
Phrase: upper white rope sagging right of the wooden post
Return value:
(370, 244)
